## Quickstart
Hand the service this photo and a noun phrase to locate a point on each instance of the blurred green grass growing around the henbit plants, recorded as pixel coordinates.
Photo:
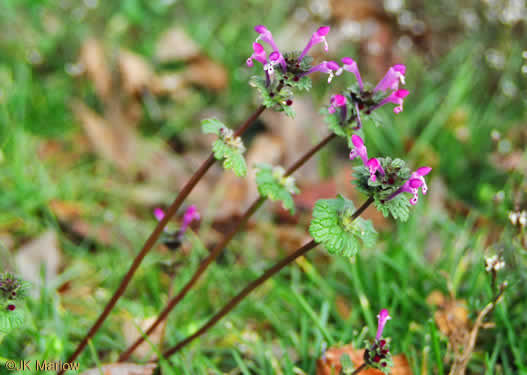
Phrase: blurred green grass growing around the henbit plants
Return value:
(282, 326)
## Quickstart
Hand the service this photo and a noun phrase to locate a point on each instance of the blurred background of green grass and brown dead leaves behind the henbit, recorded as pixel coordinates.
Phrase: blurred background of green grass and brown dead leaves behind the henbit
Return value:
(100, 109)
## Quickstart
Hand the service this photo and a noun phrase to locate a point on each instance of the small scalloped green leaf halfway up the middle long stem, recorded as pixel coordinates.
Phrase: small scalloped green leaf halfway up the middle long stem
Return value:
(273, 185)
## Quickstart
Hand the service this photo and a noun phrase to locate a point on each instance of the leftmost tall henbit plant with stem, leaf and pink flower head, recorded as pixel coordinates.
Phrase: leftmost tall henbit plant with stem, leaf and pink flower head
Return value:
(279, 87)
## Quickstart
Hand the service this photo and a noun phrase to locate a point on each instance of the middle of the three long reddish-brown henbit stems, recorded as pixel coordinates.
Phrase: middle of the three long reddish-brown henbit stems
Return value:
(217, 250)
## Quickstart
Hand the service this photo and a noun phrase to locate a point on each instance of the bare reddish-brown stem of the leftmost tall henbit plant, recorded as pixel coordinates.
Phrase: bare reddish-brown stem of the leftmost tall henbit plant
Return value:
(154, 236)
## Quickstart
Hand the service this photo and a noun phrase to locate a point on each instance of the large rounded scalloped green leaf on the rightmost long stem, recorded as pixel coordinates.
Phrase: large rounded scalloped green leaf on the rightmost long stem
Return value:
(333, 227)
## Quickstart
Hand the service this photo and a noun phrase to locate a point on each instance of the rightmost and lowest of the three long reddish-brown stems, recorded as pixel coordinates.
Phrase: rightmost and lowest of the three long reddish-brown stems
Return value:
(253, 285)
